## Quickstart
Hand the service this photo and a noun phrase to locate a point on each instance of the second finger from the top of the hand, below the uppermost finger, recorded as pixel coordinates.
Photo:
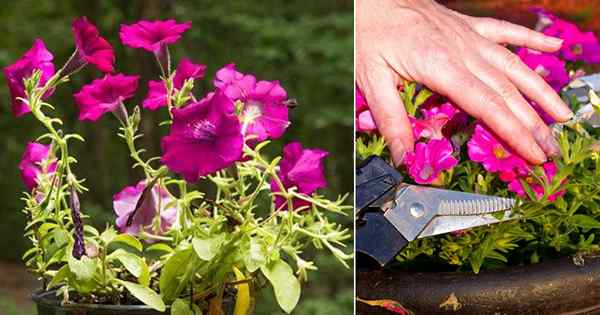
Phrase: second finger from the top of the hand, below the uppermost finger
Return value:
(527, 81)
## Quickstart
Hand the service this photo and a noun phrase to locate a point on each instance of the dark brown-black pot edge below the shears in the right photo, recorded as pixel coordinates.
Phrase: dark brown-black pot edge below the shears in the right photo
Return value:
(553, 287)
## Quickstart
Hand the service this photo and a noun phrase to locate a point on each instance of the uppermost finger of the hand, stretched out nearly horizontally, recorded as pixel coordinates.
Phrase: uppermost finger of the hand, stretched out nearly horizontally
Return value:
(500, 31)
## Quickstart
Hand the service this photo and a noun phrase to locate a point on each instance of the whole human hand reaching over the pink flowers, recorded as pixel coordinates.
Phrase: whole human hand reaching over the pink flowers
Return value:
(458, 56)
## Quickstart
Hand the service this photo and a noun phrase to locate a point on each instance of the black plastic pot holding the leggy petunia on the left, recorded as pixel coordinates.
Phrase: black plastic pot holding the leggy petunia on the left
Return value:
(48, 304)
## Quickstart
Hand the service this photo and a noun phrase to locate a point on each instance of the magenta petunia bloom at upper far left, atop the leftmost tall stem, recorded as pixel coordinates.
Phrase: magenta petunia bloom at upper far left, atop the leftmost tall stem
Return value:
(36, 58)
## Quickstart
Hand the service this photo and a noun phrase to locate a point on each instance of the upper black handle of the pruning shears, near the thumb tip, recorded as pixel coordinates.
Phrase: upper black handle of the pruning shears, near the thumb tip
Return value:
(374, 179)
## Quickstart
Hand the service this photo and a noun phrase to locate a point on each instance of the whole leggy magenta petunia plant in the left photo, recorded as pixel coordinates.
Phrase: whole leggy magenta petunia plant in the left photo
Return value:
(172, 244)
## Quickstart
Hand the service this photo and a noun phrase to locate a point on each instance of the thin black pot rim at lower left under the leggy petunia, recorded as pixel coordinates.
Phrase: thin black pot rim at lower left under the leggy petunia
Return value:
(48, 298)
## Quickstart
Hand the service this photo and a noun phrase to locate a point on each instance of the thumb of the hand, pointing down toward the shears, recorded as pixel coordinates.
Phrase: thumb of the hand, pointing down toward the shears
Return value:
(380, 90)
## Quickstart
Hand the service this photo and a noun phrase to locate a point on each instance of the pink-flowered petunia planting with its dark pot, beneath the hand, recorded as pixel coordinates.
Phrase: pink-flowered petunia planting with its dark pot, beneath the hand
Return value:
(544, 261)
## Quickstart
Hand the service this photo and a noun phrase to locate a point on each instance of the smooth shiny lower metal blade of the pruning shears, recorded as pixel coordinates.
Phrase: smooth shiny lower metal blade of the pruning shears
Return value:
(447, 224)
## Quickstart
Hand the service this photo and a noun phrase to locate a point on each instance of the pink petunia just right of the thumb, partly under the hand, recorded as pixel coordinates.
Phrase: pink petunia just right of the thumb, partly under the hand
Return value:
(433, 121)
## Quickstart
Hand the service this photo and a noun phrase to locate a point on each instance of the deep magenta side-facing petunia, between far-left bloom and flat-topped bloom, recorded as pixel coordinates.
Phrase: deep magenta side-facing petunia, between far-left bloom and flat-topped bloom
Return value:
(92, 48)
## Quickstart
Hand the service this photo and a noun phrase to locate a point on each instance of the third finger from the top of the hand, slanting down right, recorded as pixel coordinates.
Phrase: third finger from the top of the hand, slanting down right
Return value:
(513, 99)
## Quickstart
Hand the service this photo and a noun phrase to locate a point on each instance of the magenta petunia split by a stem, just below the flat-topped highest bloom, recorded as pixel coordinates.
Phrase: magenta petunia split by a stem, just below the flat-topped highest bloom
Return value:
(157, 91)
